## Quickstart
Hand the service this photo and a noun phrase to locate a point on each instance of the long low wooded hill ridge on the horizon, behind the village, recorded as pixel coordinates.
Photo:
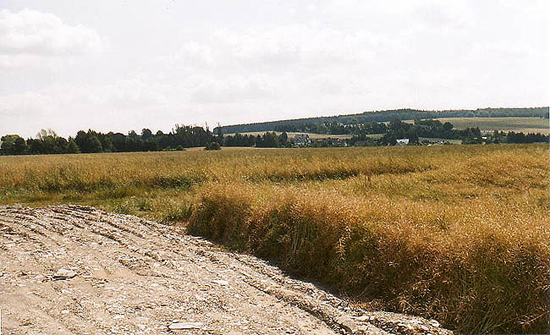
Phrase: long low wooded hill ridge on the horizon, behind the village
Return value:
(388, 115)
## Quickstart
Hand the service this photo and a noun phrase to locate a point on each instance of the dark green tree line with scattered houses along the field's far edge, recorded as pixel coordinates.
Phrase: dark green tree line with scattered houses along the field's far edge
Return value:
(181, 137)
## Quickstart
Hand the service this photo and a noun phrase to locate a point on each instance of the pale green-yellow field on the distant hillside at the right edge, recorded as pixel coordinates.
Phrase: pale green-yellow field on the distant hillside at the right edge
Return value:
(517, 124)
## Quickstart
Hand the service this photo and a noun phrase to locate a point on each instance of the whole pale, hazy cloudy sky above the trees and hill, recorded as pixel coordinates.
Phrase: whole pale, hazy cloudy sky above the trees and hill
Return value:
(113, 65)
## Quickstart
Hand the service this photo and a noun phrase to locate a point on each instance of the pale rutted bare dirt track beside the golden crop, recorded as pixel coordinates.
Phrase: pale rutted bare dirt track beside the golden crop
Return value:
(125, 275)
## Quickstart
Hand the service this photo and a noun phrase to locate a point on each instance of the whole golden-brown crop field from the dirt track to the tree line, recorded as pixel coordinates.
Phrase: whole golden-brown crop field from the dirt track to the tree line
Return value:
(457, 233)
